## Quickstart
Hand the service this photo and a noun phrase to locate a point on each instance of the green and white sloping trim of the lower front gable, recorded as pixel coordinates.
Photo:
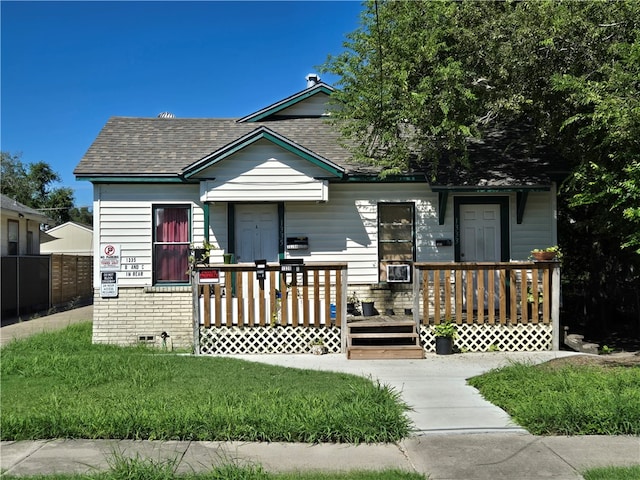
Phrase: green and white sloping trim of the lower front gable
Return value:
(258, 134)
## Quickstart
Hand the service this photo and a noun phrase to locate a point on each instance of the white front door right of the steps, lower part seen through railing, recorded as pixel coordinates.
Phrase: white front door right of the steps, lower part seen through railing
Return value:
(480, 241)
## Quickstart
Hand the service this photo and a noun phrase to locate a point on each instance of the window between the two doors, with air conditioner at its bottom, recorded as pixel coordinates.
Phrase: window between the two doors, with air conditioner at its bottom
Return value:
(396, 236)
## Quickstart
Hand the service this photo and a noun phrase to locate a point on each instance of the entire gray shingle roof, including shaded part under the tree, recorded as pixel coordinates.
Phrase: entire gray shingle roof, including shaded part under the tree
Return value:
(164, 147)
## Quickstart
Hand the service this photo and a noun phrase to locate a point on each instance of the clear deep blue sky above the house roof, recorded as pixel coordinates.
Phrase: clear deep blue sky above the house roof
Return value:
(69, 66)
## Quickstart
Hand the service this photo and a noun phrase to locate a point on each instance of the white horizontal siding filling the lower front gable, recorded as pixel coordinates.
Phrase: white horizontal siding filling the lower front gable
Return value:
(264, 172)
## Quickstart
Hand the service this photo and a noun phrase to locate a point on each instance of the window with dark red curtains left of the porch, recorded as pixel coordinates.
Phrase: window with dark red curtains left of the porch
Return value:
(171, 239)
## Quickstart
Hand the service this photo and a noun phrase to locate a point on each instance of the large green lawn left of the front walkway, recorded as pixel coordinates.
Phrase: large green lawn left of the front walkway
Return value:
(59, 385)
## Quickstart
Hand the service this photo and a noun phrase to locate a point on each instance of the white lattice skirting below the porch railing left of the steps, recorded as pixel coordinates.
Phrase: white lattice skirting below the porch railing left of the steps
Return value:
(280, 339)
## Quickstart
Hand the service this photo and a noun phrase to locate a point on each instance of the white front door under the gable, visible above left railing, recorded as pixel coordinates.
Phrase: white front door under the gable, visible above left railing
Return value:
(256, 232)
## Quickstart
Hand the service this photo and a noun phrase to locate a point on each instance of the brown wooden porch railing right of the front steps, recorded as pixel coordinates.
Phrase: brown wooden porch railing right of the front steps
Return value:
(491, 293)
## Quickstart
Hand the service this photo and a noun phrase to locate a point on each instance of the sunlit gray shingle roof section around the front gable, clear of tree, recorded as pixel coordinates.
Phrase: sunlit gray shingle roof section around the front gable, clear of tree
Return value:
(163, 147)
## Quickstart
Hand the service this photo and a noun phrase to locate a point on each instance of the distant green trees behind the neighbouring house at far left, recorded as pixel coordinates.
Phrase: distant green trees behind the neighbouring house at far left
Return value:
(33, 185)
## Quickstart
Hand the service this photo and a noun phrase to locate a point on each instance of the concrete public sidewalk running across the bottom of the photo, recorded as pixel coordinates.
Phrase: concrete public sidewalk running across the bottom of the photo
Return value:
(487, 456)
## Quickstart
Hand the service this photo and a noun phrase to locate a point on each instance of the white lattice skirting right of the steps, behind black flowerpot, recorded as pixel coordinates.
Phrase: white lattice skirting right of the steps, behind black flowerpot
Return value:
(504, 338)
